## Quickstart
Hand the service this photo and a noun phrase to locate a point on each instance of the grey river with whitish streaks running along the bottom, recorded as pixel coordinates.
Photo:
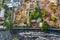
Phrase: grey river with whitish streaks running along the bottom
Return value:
(30, 35)
